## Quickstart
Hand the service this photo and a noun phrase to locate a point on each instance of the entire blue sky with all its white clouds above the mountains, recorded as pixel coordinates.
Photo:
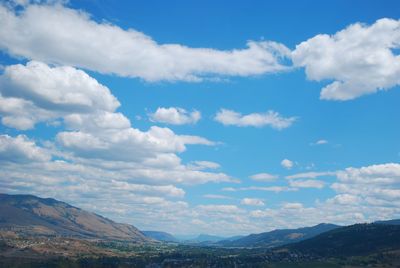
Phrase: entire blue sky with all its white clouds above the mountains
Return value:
(213, 117)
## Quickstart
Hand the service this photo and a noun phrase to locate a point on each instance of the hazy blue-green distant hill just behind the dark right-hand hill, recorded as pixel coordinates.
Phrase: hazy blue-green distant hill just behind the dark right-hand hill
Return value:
(278, 237)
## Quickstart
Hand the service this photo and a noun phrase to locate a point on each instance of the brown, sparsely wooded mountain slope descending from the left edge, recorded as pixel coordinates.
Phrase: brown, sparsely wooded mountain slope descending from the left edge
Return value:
(34, 216)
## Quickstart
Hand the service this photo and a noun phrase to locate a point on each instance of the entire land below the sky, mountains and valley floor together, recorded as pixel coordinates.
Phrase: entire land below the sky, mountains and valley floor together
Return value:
(41, 230)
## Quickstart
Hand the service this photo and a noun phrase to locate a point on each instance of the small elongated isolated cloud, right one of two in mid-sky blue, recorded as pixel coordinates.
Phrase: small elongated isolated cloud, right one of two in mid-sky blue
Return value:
(270, 118)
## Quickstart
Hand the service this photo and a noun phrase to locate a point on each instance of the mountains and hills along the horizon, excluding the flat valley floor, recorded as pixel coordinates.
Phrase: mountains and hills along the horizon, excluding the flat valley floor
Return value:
(34, 216)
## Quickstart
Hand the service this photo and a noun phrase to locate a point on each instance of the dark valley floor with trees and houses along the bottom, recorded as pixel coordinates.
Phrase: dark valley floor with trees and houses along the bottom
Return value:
(65, 252)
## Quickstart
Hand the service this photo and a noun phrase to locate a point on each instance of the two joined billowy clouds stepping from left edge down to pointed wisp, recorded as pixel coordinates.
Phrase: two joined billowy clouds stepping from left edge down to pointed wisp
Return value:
(36, 92)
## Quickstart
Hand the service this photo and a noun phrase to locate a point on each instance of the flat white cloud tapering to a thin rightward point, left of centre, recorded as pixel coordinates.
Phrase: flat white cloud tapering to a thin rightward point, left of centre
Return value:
(127, 144)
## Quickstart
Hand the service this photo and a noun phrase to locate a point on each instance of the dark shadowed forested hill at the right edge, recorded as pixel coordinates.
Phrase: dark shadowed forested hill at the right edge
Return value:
(354, 240)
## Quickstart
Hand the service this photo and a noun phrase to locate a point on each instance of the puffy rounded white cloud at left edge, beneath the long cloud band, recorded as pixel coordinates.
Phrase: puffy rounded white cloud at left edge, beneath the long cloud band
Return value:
(35, 92)
